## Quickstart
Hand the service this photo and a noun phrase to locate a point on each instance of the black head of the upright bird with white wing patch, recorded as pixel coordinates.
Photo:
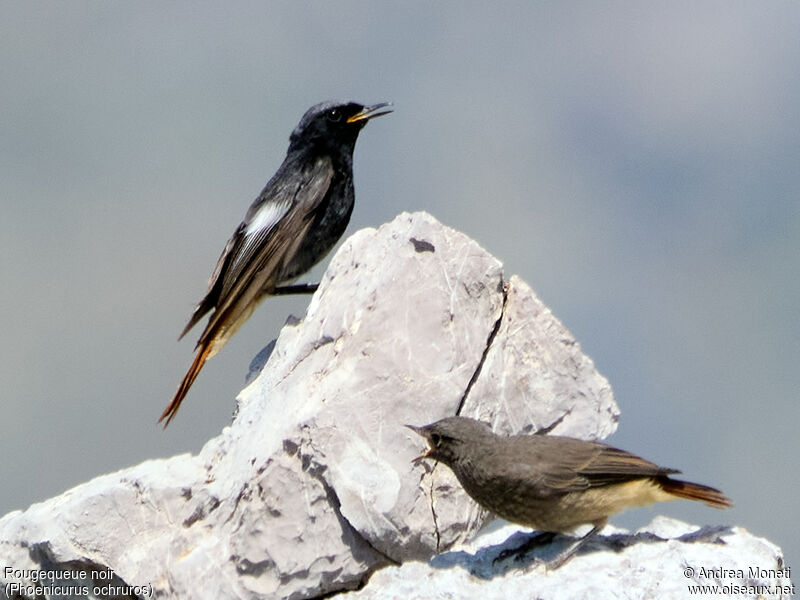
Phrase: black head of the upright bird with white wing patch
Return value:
(334, 125)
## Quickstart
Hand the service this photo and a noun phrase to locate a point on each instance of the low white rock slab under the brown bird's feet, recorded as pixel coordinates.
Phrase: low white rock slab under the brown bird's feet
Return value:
(661, 560)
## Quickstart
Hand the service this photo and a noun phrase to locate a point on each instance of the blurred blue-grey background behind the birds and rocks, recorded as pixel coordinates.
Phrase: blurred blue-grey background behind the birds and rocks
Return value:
(636, 163)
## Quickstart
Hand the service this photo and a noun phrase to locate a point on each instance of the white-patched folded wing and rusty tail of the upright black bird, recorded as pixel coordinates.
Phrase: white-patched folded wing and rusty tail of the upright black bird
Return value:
(253, 258)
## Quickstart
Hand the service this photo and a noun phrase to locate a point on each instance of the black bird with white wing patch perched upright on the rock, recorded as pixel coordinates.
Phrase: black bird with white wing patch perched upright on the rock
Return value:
(299, 216)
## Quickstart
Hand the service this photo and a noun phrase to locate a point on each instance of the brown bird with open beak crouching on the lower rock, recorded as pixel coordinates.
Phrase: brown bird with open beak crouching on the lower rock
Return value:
(550, 483)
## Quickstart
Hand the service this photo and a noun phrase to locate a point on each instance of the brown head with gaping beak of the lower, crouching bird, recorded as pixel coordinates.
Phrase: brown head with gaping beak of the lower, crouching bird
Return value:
(450, 439)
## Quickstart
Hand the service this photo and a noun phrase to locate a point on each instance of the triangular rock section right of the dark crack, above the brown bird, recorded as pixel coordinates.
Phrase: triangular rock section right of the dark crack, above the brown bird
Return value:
(534, 370)
